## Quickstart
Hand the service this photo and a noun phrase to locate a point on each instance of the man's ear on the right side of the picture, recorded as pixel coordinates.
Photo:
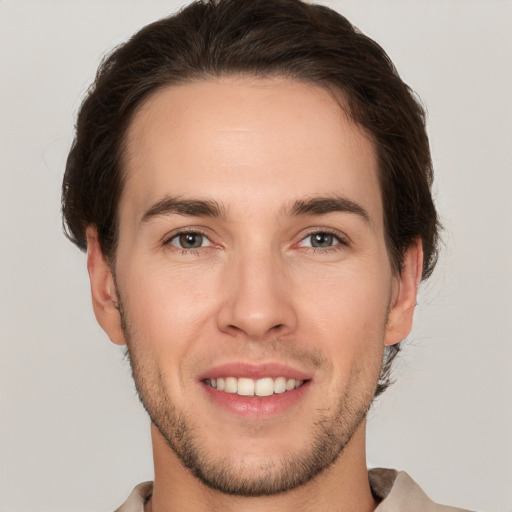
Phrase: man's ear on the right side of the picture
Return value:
(403, 302)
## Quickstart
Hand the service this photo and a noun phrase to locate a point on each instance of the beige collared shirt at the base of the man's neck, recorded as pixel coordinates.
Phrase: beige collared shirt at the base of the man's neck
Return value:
(397, 490)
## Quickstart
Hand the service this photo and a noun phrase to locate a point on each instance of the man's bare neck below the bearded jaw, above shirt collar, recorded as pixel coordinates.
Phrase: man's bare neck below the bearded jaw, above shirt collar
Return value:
(341, 487)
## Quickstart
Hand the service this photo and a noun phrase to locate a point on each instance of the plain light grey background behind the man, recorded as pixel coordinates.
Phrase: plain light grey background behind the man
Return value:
(73, 436)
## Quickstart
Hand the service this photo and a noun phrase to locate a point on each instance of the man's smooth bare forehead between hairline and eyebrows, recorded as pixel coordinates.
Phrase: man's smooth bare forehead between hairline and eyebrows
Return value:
(246, 142)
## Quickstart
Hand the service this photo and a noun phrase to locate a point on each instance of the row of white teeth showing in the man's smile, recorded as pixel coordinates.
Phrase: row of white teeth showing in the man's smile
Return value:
(249, 387)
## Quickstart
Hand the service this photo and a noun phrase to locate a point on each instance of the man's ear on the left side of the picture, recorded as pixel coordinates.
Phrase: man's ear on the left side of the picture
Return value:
(103, 290)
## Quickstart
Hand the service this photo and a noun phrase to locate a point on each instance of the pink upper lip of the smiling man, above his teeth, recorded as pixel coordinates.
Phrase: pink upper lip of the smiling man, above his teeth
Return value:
(254, 371)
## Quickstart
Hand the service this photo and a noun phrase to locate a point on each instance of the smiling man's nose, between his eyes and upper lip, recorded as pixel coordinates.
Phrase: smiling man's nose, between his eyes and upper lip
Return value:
(257, 298)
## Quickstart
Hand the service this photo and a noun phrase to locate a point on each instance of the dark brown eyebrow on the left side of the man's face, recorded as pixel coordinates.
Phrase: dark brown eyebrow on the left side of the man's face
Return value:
(192, 207)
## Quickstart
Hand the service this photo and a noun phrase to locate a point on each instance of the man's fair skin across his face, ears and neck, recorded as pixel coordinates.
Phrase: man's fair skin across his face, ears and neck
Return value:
(255, 291)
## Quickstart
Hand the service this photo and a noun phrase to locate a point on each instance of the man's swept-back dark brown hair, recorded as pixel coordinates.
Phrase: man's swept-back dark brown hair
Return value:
(286, 38)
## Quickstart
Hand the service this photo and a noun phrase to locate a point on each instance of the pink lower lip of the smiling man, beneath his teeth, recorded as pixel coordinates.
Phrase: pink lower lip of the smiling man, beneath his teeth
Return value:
(257, 406)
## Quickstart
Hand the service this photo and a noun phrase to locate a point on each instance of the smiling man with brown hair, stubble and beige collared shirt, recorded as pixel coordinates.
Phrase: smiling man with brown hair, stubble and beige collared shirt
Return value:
(251, 180)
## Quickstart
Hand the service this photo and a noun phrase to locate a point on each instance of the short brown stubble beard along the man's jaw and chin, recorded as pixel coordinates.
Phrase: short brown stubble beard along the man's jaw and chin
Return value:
(332, 431)
